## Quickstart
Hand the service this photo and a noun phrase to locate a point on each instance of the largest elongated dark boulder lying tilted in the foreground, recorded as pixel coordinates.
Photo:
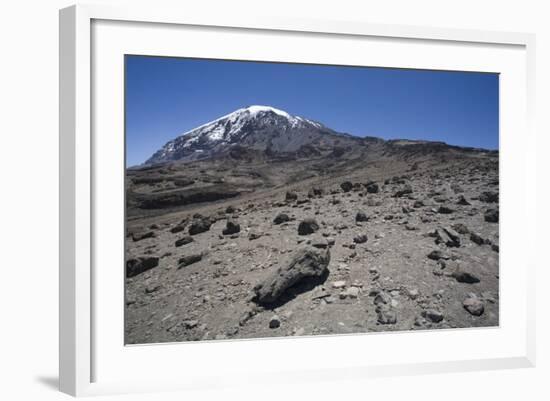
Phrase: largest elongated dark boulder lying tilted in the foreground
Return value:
(307, 263)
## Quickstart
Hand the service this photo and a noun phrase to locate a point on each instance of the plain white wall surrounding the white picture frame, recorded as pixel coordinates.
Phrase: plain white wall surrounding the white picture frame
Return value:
(29, 199)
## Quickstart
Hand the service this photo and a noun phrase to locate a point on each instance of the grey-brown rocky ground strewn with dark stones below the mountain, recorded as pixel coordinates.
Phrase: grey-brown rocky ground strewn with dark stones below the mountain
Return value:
(291, 248)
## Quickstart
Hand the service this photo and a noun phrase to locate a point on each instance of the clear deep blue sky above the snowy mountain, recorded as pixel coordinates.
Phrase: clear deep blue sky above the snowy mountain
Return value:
(168, 96)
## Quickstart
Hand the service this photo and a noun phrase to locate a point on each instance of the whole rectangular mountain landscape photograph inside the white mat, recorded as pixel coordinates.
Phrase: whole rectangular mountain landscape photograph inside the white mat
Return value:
(268, 199)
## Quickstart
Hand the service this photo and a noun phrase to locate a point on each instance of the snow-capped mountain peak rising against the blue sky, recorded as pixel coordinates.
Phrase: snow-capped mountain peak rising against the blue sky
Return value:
(257, 128)
